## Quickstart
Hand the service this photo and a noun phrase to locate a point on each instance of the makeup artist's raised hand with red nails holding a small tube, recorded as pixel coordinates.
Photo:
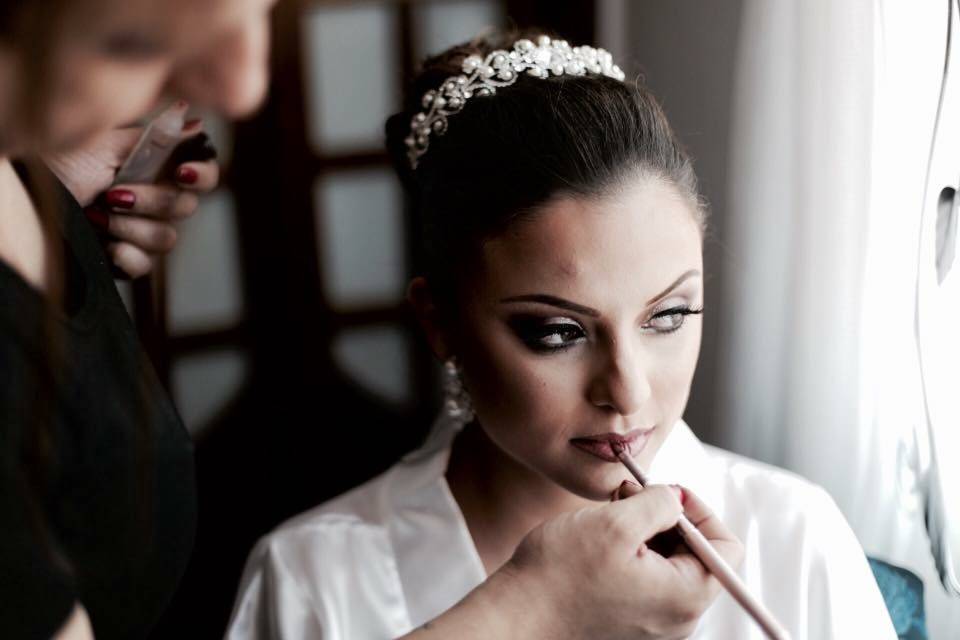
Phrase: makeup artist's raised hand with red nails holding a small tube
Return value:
(137, 221)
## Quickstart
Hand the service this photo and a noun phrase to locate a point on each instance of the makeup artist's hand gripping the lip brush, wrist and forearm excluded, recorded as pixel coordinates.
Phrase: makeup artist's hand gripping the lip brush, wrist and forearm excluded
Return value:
(607, 583)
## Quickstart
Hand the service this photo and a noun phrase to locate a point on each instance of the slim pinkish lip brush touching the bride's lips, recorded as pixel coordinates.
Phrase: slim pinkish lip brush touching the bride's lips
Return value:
(713, 561)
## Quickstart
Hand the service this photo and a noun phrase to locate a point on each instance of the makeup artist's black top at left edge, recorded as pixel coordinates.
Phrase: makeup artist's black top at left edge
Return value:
(97, 500)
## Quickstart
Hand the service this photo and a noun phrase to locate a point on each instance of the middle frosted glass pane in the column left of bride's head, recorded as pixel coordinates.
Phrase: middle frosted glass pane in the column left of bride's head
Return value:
(361, 238)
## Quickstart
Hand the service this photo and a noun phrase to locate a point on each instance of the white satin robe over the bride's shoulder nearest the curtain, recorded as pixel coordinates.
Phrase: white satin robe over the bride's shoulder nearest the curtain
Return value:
(800, 552)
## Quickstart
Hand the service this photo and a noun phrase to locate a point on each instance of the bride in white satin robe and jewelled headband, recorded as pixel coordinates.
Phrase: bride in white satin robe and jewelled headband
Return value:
(564, 290)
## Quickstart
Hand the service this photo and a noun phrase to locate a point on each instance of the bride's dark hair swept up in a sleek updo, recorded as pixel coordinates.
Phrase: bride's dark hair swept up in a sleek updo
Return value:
(502, 157)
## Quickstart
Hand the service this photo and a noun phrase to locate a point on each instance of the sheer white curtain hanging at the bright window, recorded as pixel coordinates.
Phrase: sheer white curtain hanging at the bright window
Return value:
(834, 108)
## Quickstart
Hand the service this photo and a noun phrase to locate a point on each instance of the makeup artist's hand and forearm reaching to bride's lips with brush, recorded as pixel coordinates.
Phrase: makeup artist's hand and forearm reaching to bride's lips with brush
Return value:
(590, 574)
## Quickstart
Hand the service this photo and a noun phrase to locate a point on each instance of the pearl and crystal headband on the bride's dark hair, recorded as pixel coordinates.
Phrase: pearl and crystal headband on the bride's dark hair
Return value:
(482, 77)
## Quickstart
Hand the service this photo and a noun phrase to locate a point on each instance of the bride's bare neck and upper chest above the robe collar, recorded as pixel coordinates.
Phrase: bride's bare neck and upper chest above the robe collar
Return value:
(501, 499)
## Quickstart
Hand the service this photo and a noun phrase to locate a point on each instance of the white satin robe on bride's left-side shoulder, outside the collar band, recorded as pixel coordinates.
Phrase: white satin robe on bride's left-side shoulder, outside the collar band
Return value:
(327, 559)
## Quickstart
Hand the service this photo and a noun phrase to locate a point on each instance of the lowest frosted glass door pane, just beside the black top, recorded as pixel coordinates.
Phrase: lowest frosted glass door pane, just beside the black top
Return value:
(204, 384)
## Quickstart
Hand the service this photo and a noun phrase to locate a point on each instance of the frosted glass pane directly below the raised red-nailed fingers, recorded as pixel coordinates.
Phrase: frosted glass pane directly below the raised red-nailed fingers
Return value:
(203, 273)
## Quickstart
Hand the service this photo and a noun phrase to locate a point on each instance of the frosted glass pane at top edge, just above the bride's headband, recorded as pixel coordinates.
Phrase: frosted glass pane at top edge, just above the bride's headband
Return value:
(442, 24)
